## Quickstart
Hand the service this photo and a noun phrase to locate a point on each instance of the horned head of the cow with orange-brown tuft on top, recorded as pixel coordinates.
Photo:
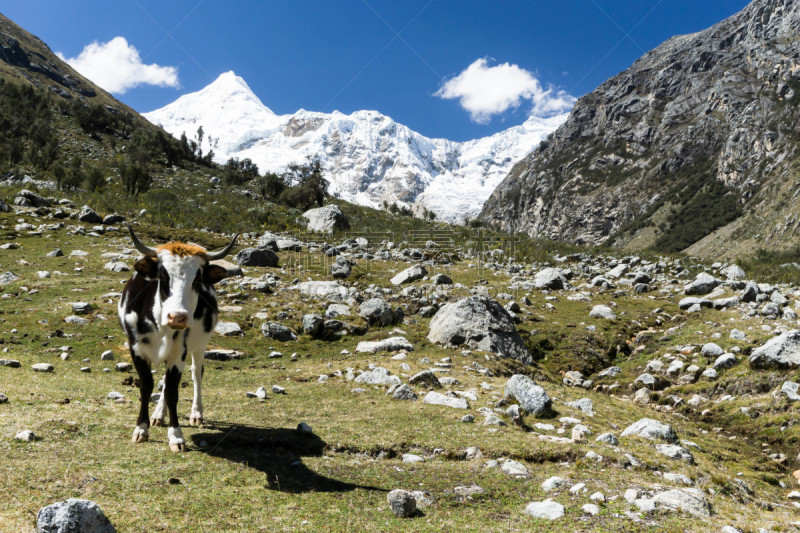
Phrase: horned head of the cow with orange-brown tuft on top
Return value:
(184, 272)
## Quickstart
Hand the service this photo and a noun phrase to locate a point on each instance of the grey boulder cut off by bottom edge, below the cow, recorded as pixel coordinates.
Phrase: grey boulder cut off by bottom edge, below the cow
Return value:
(73, 516)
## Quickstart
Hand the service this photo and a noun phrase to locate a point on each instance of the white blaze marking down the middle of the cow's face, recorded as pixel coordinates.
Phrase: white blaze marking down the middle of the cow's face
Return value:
(182, 299)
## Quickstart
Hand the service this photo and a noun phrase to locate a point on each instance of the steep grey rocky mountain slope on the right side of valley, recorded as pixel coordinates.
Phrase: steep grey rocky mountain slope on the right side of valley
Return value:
(694, 147)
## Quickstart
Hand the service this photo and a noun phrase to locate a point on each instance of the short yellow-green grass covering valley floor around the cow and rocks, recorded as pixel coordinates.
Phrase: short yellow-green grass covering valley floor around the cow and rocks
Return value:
(248, 469)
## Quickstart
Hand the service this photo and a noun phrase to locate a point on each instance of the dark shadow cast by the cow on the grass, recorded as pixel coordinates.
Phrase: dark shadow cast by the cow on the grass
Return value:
(277, 452)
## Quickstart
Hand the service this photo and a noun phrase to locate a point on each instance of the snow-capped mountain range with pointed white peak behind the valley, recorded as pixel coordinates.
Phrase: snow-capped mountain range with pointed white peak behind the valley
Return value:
(367, 157)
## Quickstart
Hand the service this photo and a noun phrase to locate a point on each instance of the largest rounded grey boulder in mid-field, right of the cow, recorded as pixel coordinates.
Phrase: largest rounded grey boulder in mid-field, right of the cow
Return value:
(480, 323)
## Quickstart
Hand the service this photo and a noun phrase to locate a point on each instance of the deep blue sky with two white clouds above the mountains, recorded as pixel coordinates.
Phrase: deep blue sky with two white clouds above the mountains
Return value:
(455, 69)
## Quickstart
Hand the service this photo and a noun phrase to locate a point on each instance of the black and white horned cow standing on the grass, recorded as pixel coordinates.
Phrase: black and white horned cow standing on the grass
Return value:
(169, 310)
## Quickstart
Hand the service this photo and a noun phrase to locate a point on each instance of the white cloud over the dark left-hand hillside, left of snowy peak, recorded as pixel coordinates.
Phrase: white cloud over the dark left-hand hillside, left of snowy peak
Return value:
(116, 66)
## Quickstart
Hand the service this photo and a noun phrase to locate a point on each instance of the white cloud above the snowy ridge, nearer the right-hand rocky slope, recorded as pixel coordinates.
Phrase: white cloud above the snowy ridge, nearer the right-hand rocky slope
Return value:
(485, 91)
